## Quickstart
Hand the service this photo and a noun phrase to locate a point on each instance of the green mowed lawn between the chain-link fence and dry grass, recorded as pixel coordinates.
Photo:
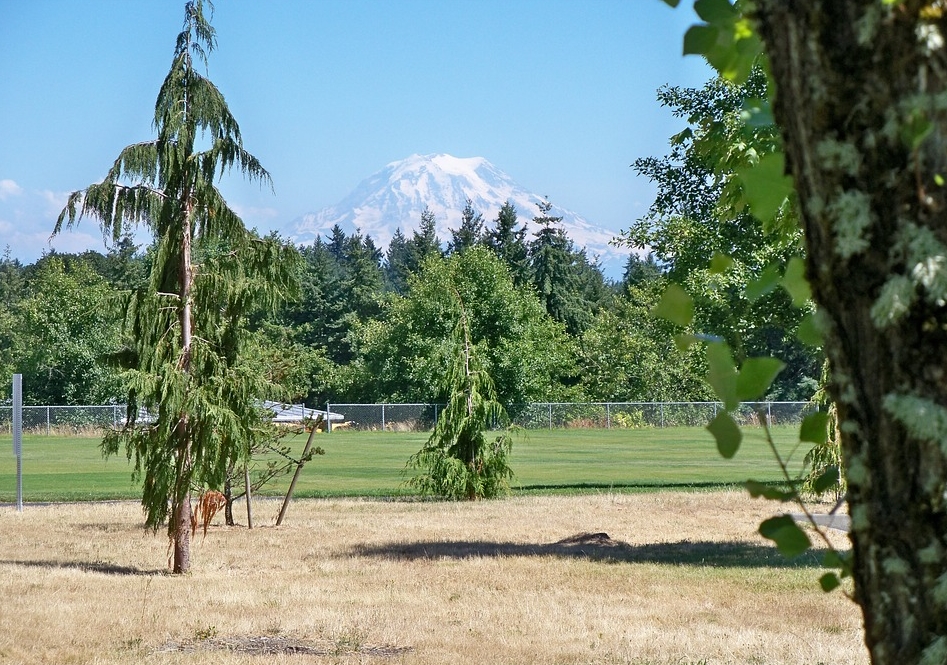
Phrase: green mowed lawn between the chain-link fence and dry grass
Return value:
(373, 463)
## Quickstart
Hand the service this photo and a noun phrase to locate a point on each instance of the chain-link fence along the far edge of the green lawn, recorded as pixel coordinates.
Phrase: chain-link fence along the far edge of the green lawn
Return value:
(93, 420)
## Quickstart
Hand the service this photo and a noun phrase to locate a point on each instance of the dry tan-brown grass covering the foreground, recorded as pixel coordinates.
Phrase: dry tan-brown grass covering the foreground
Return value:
(349, 581)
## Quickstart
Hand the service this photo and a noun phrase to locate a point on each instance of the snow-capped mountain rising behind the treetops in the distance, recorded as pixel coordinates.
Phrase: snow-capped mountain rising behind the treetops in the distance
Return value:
(395, 197)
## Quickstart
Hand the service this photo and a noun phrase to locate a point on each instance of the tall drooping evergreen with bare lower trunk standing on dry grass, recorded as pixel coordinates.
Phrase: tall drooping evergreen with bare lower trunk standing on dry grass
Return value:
(208, 271)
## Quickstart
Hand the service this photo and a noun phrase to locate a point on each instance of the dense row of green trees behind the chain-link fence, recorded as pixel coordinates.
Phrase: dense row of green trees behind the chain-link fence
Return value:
(370, 327)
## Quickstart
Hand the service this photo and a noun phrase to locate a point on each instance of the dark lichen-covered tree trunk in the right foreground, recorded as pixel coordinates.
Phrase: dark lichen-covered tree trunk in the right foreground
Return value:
(857, 81)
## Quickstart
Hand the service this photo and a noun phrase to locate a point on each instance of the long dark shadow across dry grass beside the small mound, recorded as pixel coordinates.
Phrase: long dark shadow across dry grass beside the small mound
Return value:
(599, 547)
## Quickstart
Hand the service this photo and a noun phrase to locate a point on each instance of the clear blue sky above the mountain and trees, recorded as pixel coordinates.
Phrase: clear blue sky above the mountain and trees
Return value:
(560, 94)
